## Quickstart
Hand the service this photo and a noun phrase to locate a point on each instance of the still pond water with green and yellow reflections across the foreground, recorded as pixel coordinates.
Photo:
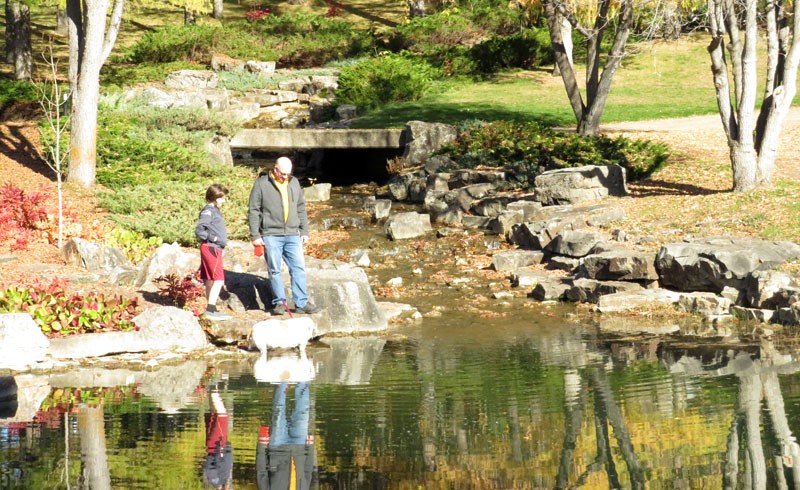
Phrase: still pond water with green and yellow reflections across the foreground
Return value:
(523, 404)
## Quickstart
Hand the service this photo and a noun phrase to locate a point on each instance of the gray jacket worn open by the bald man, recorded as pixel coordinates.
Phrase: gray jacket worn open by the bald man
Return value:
(266, 209)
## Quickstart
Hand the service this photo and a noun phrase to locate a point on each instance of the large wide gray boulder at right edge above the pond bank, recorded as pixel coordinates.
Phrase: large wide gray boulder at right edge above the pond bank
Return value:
(710, 264)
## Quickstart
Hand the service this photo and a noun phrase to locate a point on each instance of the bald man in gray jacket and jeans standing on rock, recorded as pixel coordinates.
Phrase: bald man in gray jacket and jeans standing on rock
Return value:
(279, 222)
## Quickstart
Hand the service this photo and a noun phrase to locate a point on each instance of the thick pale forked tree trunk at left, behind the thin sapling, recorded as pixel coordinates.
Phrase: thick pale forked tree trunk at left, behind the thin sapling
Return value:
(90, 43)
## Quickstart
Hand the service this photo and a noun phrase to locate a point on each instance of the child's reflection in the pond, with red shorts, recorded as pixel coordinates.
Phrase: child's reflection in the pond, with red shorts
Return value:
(218, 465)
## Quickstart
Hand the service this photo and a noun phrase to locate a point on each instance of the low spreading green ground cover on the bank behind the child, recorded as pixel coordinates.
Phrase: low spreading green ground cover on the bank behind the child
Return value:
(155, 169)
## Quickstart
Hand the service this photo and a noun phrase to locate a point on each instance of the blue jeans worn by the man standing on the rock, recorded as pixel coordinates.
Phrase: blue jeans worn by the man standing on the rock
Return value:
(290, 249)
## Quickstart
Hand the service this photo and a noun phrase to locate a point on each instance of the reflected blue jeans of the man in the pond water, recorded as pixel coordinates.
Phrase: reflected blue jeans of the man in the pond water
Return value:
(294, 429)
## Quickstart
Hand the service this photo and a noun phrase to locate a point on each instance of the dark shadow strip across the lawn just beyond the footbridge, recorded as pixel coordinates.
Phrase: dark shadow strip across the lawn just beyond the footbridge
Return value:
(398, 116)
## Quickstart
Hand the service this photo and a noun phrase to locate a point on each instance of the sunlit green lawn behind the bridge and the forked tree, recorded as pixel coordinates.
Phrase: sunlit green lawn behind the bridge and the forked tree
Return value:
(657, 80)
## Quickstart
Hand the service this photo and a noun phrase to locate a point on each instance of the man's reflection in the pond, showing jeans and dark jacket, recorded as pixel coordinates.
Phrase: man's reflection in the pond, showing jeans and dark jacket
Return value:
(285, 456)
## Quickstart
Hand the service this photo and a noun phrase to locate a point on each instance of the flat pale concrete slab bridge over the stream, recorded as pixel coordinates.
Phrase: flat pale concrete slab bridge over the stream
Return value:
(312, 139)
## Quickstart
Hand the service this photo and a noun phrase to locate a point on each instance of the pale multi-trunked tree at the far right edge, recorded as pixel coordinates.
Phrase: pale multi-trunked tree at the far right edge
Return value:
(753, 138)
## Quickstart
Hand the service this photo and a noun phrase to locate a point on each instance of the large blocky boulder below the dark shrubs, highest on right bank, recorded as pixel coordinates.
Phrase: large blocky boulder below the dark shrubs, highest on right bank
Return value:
(579, 184)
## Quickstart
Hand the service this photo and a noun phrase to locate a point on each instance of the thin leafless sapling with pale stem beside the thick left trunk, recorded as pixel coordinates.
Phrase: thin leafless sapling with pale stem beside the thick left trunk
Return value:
(52, 99)
